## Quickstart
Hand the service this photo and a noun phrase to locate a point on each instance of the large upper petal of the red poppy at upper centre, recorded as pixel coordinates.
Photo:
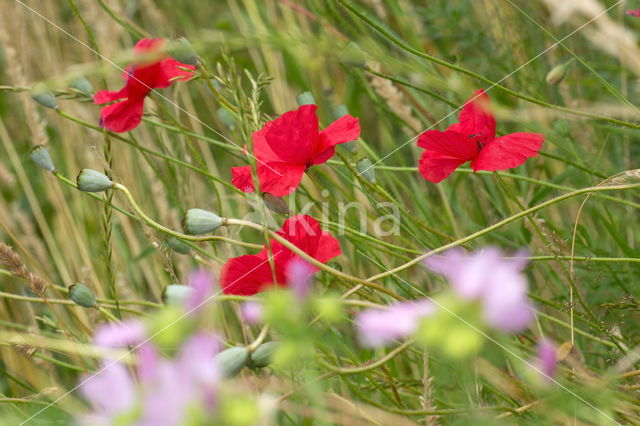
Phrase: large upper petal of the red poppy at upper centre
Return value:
(292, 137)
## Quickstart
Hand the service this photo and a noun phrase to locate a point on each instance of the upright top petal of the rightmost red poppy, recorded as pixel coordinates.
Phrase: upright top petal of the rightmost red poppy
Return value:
(476, 118)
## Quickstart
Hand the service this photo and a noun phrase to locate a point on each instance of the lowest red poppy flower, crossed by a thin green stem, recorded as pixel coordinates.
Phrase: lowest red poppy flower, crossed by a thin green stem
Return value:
(250, 274)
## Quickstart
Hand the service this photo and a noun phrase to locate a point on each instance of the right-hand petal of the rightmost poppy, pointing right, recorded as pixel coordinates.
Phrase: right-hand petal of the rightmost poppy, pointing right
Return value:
(508, 151)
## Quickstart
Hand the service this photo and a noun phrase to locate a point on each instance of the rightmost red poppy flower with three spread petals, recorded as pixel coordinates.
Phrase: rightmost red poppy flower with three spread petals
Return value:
(473, 139)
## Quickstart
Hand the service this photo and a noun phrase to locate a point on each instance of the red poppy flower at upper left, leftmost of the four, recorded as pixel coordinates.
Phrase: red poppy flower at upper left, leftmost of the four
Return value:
(140, 79)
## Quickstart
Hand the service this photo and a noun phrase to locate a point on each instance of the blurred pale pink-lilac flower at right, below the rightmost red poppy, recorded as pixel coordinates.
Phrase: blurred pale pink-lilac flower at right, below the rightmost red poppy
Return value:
(496, 282)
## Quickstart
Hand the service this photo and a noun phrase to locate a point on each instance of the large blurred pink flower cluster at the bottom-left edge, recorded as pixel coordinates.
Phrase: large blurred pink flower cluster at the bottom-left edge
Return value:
(166, 390)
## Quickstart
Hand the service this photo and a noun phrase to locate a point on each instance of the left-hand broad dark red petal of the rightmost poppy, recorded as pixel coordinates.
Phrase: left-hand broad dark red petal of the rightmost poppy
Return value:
(444, 152)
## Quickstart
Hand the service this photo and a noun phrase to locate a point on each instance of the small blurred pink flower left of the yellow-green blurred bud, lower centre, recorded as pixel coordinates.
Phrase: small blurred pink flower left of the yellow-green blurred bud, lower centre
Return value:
(380, 327)
